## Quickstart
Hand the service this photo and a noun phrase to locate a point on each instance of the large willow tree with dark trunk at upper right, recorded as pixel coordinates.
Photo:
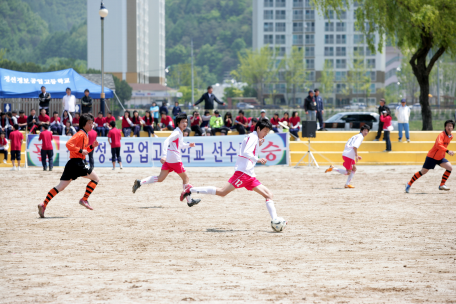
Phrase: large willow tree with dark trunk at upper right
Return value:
(419, 25)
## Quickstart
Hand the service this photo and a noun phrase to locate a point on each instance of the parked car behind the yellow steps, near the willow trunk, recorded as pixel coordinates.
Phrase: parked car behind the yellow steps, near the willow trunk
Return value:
(347, 121)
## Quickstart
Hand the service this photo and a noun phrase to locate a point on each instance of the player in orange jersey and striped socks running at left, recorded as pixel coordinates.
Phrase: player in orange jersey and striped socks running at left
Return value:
(77, 166)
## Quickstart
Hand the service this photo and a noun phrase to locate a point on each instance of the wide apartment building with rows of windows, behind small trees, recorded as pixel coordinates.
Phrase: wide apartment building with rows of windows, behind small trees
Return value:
(283, 24)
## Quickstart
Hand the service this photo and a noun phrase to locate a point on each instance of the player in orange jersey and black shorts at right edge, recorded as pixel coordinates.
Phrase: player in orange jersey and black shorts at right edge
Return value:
(436, 156)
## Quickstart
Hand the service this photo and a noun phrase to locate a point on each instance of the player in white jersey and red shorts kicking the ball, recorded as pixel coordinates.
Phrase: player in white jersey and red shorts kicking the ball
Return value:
(244, 175)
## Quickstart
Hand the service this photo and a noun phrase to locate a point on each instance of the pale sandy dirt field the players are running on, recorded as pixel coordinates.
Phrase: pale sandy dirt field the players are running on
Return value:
(371, 244)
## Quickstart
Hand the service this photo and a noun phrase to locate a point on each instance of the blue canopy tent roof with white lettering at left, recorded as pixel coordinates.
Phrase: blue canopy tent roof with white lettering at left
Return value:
(15, 84)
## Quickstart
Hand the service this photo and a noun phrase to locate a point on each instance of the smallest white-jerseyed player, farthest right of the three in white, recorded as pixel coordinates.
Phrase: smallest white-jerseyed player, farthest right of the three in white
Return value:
(350, 156)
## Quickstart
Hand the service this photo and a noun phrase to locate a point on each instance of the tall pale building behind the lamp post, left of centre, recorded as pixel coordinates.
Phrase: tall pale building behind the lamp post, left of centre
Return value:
(134, 39)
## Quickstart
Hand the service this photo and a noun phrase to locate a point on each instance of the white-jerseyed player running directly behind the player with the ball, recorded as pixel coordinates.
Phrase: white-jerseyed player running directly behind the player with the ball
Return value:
(171, 159)
